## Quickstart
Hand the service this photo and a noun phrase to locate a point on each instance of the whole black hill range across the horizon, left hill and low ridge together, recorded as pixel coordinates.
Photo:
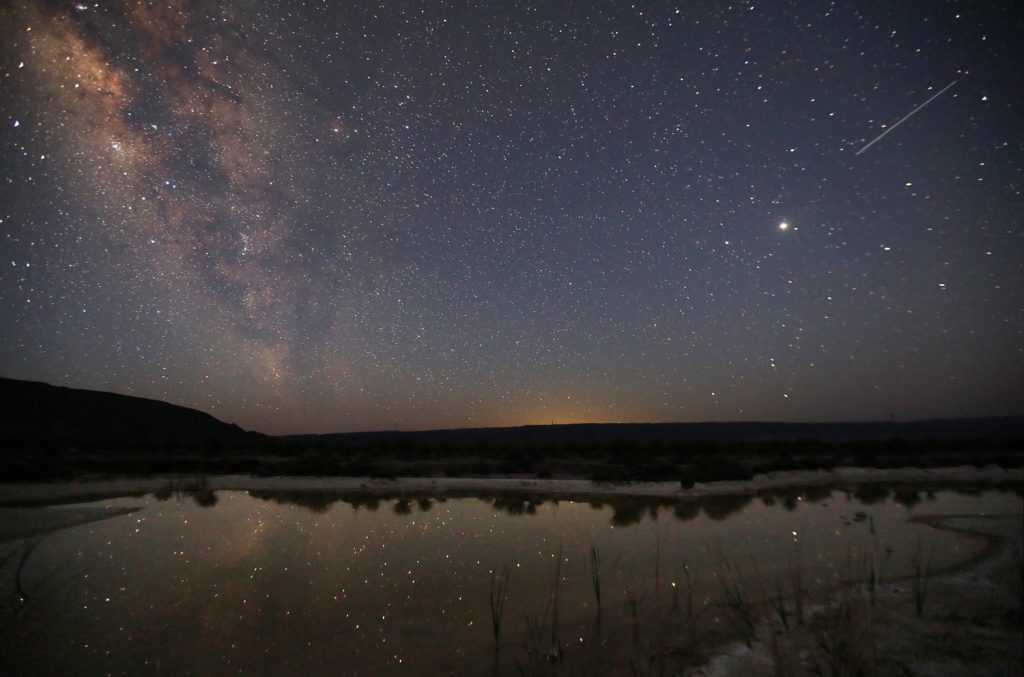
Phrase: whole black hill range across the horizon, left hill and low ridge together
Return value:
(36, 415)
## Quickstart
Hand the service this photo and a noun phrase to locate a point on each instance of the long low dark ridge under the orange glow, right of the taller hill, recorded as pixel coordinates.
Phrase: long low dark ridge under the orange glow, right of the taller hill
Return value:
(604, 434)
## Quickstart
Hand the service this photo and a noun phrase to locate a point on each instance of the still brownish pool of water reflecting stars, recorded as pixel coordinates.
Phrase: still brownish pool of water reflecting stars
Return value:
(323, 584)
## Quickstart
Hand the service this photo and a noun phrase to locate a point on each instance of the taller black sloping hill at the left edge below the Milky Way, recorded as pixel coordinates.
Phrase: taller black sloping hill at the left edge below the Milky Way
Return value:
(35, 415)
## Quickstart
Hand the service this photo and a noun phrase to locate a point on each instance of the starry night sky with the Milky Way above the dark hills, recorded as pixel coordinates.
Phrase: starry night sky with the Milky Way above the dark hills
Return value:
(327, 217)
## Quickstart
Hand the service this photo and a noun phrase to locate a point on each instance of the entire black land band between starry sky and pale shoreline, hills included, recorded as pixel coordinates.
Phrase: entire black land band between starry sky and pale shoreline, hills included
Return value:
(53, 433)
